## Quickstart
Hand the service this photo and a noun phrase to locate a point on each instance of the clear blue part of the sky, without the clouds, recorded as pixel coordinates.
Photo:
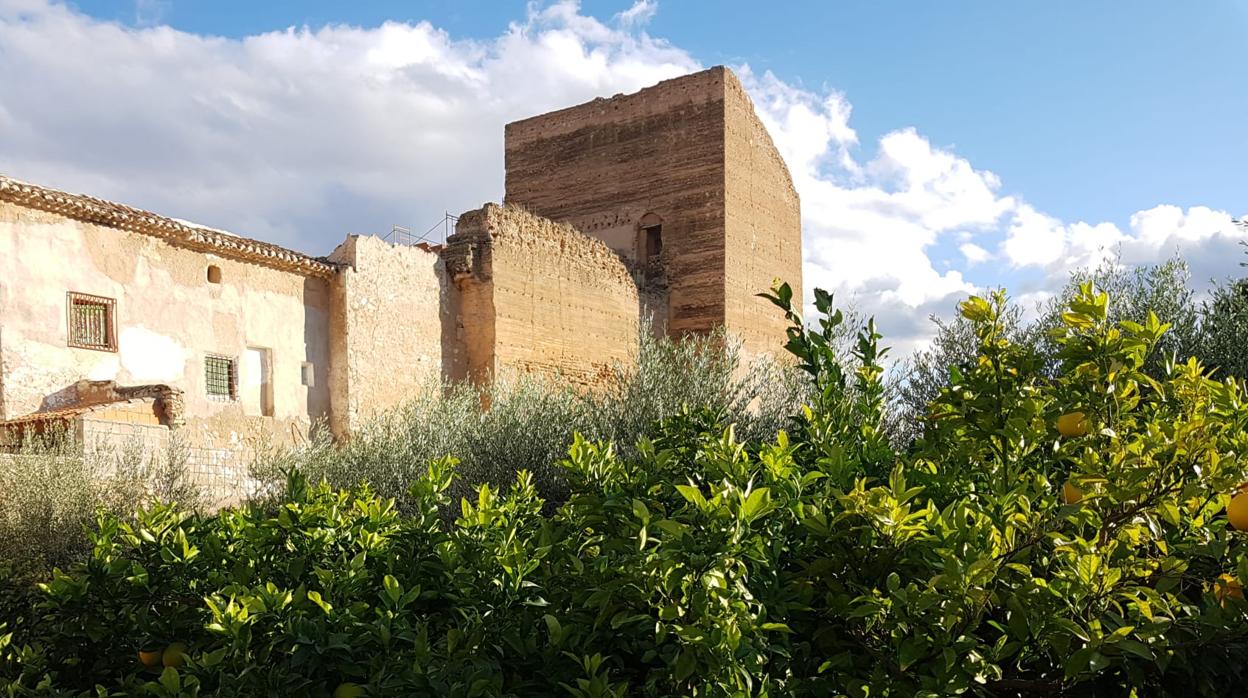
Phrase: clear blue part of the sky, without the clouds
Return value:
(1094, 109)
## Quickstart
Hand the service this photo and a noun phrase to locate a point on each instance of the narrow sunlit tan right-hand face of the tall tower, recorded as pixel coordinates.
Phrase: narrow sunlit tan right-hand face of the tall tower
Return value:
(763, 227)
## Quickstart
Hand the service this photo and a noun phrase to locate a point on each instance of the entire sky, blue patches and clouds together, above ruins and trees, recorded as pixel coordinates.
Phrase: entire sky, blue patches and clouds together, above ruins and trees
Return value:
(938, 150)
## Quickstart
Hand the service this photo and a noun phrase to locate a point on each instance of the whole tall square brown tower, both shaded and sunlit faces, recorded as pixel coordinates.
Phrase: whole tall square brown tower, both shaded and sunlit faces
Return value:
(683, 182)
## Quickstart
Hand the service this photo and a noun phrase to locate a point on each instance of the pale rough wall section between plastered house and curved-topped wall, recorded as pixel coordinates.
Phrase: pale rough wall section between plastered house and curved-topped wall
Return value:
(386, 328)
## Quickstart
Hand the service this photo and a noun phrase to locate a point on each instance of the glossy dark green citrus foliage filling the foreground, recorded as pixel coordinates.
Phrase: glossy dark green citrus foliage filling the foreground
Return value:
(818, 563)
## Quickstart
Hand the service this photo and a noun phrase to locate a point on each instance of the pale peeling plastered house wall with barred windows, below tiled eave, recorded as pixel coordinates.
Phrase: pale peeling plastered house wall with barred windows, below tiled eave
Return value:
(168, 318)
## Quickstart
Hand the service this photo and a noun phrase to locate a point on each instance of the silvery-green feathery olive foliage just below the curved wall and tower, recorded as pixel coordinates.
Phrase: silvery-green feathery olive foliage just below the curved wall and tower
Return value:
(530, 423)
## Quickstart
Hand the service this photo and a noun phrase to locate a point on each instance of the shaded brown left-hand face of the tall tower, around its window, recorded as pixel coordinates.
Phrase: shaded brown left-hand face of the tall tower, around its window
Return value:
(605, 165)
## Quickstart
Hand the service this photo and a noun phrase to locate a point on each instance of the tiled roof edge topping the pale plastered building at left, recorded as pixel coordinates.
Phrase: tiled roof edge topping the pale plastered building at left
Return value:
(98, 212)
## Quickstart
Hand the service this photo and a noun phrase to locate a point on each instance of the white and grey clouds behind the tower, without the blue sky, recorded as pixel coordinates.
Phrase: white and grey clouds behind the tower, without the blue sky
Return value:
(305, 134)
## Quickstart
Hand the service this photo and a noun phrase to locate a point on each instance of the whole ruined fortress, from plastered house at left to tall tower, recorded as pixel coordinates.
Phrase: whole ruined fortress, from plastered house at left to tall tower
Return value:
(671, 204)
